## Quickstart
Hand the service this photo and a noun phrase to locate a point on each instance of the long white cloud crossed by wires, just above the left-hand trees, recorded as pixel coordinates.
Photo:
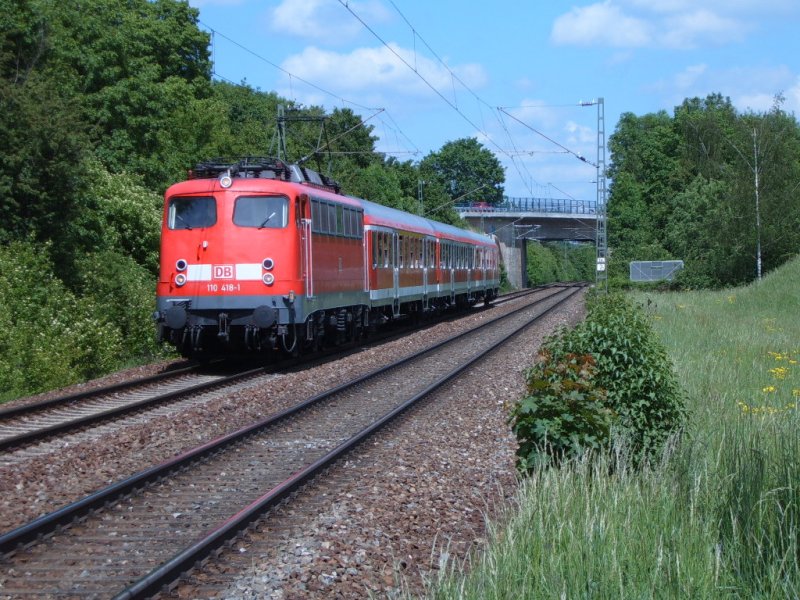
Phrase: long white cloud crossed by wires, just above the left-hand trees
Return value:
(367, 69)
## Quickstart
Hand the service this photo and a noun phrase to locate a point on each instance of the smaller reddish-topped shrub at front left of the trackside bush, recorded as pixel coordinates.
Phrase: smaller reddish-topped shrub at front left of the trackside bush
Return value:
(563, 413)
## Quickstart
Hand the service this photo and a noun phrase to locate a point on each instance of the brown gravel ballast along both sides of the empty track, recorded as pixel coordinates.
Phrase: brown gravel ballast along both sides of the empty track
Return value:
(408, 501)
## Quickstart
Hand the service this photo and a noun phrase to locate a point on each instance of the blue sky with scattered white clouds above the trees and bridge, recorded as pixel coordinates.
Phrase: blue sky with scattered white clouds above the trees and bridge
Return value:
(510, 73)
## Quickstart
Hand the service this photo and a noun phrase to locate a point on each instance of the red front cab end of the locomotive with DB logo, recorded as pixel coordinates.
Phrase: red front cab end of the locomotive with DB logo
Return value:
(230, 253)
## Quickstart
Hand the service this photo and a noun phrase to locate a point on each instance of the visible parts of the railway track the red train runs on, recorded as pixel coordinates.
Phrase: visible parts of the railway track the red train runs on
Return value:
(27, 424)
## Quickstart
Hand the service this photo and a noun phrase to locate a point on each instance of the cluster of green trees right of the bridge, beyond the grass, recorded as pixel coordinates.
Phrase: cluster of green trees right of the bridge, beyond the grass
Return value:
(683, 187)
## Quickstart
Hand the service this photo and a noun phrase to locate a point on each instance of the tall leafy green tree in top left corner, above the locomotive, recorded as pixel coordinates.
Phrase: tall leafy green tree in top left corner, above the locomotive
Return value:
(130, 69)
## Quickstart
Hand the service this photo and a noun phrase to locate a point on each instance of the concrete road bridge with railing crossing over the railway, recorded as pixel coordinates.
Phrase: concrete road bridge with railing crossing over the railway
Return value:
(517, 220)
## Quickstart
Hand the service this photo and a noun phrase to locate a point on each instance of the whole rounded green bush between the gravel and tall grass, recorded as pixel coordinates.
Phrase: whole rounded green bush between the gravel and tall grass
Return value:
(570, 399)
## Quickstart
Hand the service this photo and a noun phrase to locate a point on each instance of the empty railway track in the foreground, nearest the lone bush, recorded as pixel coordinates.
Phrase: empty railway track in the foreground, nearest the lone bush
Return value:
(144, 531)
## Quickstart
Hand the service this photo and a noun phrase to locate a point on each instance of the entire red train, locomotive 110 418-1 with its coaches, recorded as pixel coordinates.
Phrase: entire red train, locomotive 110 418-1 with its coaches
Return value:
(260, 255)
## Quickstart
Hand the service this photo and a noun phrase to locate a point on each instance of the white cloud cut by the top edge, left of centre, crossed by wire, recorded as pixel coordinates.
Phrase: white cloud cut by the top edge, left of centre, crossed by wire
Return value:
(324, 19)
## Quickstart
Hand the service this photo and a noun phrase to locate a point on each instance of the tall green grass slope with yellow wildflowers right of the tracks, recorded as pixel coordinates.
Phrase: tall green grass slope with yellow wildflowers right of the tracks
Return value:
(720, 517)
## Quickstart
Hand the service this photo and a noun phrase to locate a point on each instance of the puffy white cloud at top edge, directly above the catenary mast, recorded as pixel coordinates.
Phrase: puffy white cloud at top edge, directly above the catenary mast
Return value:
(603, 24)
